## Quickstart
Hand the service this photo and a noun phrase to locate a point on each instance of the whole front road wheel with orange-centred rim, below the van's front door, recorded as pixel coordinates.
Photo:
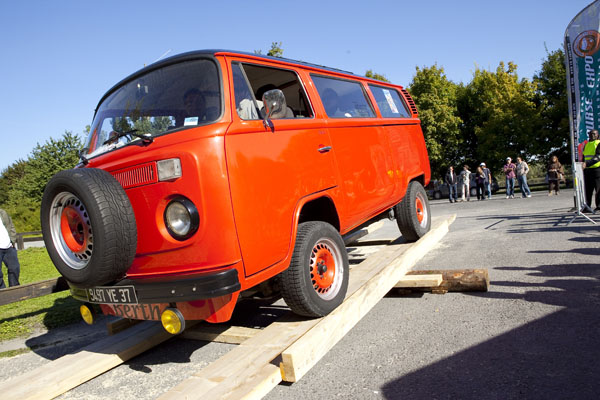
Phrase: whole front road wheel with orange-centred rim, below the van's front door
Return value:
(307, 287)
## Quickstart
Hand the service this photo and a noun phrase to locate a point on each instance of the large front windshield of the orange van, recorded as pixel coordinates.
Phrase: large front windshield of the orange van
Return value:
(174, 97)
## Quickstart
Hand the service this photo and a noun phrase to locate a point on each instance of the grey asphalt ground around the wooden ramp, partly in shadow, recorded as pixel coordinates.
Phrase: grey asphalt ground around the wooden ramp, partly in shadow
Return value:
(533, 335)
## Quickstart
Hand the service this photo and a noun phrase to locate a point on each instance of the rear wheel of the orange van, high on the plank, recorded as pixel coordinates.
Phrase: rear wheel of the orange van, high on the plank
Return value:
(412, 213)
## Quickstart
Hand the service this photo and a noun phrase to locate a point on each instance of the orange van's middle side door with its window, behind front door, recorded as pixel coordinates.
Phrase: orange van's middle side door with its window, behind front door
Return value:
(361, 147)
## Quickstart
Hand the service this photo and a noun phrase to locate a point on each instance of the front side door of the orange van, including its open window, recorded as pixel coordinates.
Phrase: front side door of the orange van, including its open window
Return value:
(270, 171)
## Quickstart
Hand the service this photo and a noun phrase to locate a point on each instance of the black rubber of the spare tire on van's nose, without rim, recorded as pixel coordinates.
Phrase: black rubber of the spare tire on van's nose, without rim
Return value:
(112, 220)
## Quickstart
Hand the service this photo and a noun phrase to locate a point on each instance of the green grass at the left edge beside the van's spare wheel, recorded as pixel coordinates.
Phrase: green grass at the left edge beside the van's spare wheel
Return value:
(47, 312)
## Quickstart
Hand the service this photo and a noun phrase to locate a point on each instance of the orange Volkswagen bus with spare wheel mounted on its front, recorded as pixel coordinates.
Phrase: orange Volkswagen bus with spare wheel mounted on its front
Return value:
(210, 172)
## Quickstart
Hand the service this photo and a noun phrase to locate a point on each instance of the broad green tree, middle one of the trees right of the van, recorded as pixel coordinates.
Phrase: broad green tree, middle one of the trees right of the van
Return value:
(500, 116)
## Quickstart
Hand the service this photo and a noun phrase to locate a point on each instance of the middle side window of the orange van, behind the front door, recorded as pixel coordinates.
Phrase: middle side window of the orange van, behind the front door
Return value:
(342, 98)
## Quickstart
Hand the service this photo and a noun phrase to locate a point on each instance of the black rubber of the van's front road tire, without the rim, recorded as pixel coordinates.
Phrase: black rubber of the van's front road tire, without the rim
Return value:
(295, 283)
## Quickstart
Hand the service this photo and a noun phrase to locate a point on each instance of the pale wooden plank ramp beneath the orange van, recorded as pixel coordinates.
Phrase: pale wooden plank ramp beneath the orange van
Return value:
(284, 350)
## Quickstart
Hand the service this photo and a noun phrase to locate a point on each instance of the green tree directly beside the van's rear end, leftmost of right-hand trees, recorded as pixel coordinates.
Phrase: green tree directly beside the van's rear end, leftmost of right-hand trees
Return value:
(436, 99)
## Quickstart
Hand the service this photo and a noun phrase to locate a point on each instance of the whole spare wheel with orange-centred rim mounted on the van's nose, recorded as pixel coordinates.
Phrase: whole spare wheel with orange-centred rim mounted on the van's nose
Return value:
(88, 226)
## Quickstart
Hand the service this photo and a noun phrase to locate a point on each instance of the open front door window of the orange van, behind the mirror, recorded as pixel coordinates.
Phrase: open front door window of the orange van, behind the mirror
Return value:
(252, 80)
